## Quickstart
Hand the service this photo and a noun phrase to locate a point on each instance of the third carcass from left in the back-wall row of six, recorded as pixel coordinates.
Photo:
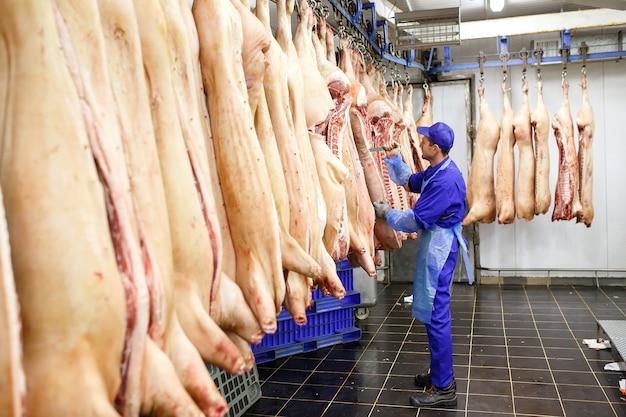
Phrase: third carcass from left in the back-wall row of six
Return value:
(525, 187)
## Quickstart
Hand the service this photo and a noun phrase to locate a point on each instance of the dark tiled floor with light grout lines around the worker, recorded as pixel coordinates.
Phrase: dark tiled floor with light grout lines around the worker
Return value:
(517, 351)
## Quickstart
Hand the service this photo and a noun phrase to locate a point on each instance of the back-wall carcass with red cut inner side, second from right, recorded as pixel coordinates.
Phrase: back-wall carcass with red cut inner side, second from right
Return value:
(566, 201)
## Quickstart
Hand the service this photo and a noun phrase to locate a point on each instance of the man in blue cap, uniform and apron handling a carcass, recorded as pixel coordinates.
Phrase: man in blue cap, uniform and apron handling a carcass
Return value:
(437, 215)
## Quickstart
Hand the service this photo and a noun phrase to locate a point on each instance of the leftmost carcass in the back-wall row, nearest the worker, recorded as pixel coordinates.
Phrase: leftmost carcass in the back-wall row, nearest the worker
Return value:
(481, 196)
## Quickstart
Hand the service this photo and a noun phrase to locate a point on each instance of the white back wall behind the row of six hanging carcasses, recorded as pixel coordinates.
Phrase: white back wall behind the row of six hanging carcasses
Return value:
(541, 243)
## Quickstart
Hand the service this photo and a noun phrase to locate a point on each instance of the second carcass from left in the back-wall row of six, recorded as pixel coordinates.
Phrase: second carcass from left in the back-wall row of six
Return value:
(505, 170)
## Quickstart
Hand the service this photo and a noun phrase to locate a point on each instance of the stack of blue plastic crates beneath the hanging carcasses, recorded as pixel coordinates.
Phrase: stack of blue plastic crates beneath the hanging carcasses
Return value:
(329, 322)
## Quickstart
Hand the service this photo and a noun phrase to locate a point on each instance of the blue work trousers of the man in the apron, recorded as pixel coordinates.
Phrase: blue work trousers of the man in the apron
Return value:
(440, 329)
